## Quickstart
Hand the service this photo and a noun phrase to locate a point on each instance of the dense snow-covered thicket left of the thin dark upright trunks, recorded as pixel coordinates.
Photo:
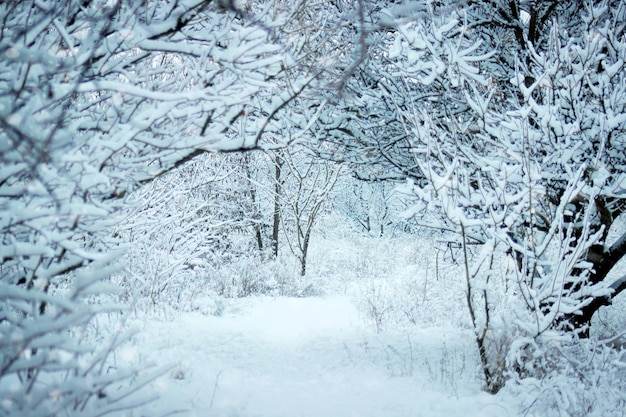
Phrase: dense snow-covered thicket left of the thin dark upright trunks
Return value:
(192, 235)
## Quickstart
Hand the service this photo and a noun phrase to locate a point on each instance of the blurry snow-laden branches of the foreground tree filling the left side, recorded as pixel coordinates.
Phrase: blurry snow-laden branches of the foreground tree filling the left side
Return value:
(96, 99)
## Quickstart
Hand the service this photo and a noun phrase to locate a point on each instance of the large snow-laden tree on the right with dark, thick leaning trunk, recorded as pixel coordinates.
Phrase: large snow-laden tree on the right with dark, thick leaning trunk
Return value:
(508, 119)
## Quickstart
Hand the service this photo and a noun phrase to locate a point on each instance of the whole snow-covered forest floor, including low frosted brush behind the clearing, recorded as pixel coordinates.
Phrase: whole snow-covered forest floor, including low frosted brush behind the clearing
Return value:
(383, 332)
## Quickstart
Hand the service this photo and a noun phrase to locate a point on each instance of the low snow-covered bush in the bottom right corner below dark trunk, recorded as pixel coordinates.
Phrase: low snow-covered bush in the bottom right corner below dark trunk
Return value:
(567, 378)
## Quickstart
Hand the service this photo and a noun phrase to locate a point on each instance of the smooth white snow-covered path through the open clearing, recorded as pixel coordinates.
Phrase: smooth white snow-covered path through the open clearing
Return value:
(308, 357)
